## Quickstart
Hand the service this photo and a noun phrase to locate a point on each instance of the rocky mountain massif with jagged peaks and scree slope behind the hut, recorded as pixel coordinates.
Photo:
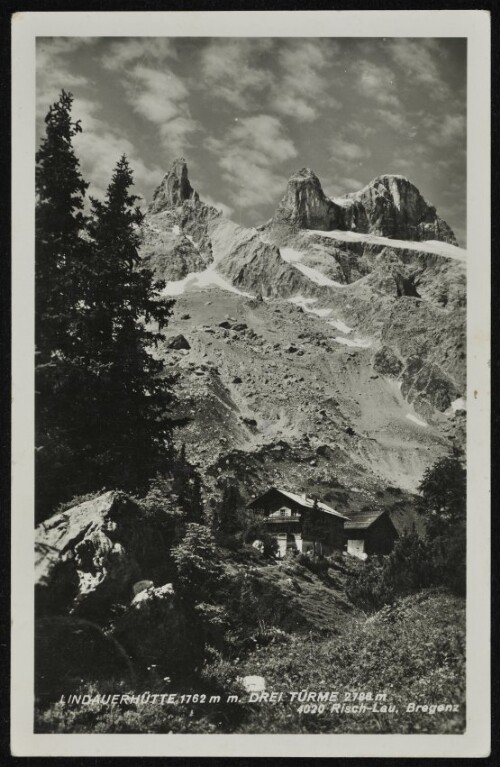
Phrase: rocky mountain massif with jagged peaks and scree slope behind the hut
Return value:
(338, 327)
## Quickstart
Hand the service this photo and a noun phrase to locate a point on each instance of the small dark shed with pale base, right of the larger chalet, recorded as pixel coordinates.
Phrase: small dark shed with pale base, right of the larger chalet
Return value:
(369, 532)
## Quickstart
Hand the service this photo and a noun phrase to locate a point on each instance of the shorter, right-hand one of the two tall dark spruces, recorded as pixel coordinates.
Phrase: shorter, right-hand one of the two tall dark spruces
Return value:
(124, 317)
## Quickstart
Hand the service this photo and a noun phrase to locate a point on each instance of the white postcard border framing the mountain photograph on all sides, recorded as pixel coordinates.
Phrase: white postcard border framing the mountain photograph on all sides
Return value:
(475, 26)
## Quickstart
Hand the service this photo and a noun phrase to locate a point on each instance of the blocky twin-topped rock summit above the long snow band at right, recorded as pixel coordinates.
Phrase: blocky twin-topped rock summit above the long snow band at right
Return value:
(389, 206)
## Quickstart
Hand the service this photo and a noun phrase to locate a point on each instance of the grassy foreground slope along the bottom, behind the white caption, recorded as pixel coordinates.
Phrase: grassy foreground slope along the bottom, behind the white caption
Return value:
(413, 651)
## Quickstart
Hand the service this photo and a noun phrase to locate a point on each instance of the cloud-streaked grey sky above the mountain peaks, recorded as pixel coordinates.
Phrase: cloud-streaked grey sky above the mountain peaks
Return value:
(246, 113)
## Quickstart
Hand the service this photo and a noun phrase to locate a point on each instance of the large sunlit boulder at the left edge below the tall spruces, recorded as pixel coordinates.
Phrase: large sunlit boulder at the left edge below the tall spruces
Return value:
(89, 557)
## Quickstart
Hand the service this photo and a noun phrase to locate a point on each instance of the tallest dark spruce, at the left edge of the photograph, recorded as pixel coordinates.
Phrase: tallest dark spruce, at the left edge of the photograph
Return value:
(60, 257)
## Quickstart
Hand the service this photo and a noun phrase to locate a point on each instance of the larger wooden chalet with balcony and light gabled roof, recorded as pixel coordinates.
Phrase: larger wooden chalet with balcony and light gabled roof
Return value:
(299, 523)
